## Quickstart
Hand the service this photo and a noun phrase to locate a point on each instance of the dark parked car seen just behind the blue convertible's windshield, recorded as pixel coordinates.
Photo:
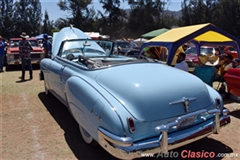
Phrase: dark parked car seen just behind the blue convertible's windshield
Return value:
(126, 48)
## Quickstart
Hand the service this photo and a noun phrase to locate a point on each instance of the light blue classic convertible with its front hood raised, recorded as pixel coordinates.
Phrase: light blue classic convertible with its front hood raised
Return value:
(129, 106)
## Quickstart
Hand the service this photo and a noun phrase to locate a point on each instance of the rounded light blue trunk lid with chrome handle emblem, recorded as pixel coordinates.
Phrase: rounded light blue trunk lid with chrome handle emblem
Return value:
(154, 91)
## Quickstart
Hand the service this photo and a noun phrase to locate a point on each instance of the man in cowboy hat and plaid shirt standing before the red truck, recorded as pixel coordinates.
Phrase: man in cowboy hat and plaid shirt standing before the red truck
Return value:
(25, 49)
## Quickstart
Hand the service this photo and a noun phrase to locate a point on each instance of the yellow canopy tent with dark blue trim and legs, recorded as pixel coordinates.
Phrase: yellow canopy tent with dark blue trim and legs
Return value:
(201, 34)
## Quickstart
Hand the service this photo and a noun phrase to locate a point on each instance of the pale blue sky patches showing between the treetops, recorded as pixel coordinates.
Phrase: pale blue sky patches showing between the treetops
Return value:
(54, 12)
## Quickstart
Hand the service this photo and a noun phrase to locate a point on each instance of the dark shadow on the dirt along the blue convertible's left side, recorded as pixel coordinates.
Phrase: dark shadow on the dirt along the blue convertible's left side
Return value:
(71, 131)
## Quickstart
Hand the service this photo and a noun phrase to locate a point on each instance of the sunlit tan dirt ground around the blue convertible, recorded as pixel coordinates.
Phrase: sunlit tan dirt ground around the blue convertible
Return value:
(36, 127)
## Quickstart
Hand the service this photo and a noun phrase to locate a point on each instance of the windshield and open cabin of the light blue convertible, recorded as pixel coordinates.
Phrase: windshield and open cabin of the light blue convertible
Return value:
(90, 54)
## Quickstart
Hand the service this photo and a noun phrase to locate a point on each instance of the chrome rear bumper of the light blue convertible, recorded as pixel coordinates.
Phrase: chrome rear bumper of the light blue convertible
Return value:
(124, 148)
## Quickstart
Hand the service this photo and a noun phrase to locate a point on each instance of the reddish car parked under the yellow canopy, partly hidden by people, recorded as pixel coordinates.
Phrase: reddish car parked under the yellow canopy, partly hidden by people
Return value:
(192, 57)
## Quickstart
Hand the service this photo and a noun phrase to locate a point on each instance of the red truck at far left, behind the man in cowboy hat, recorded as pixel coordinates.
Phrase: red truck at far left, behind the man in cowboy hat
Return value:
(13, 51)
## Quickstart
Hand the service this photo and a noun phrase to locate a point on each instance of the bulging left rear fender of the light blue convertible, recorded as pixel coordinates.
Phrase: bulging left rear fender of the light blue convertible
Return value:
(87, 105)
